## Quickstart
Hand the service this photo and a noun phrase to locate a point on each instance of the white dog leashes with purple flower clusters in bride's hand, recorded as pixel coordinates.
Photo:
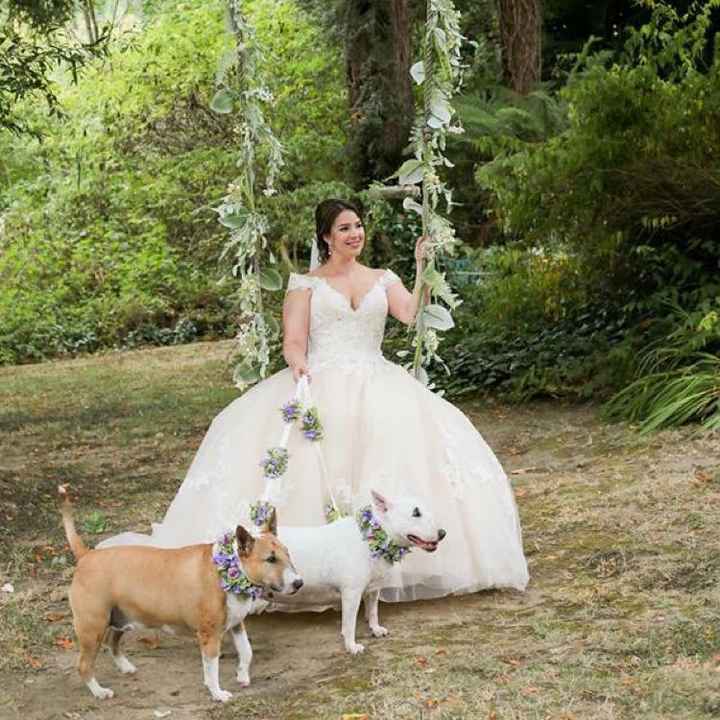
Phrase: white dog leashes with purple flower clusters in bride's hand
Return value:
(296, 412)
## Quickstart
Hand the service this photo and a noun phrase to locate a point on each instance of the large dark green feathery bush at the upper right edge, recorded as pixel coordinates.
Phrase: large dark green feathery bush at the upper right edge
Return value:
(635, 172)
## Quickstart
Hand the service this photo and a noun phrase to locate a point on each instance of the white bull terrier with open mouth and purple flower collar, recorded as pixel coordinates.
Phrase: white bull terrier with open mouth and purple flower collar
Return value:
(351, 557)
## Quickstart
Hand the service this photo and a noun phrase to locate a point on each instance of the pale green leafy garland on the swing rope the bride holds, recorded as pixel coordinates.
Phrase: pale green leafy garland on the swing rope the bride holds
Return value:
(440, 74)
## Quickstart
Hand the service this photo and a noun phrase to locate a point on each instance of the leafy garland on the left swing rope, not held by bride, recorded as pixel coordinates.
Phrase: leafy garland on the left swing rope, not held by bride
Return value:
(241, 92)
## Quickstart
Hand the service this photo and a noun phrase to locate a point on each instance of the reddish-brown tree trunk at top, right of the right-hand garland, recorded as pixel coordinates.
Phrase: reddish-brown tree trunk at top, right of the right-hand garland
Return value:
(521, 35)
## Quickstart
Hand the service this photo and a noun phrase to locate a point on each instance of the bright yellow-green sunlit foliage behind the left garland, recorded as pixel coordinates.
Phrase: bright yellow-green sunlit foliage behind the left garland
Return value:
(107, 235)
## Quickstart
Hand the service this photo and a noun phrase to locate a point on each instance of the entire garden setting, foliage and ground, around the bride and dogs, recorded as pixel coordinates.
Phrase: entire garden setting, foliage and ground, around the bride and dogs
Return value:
(587, 184)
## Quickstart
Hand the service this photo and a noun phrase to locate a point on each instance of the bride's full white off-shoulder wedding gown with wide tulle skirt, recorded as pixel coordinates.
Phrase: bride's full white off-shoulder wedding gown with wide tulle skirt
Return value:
(383, 430)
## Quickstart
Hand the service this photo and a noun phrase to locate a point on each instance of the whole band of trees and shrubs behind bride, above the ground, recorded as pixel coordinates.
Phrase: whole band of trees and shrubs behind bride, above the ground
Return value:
(586, 182)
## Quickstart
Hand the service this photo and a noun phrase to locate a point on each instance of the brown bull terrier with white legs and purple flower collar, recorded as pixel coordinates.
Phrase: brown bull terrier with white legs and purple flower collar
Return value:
(117, 589)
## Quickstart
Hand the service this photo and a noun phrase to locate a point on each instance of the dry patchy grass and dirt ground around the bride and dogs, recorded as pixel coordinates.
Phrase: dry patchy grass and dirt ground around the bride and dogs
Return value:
(620, 619)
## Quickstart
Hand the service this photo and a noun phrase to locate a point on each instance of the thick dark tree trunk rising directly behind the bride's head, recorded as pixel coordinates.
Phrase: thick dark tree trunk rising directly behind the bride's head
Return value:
(377, 55)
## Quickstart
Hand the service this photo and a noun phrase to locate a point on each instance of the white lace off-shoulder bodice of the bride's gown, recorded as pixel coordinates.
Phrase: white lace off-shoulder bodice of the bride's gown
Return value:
(340, 335)
